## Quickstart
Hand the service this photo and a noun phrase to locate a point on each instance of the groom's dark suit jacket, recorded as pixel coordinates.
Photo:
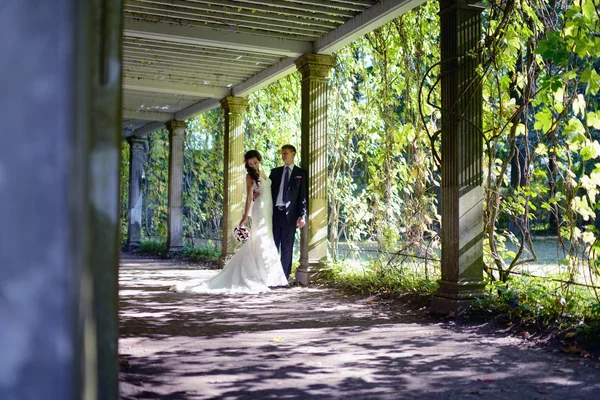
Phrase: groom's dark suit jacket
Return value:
(298, 189)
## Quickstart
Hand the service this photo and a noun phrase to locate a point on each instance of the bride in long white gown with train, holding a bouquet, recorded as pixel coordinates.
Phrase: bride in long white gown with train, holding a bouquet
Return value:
(256, 265)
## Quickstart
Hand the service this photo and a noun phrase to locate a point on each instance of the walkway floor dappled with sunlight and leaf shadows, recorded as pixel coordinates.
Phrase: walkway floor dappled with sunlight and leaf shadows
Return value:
(317, 344)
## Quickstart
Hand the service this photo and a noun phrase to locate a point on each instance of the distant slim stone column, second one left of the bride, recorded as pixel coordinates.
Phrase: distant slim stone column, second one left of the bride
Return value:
(175, 203)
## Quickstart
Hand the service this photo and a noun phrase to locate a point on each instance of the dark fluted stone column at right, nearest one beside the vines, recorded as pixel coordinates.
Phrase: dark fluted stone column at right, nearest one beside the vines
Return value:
(462, 154)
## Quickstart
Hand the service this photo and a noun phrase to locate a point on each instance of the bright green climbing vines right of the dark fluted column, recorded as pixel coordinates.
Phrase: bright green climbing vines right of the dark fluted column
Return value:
(539, 78)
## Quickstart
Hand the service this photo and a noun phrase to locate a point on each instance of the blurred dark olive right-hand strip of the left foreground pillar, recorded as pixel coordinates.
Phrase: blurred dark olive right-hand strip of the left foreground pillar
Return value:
(105, 160)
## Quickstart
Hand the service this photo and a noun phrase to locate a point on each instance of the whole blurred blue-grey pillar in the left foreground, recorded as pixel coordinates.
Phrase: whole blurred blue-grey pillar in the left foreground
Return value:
(58, 198)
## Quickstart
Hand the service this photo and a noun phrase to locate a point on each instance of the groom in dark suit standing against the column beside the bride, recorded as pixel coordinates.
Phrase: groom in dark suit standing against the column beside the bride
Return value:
(289, 185)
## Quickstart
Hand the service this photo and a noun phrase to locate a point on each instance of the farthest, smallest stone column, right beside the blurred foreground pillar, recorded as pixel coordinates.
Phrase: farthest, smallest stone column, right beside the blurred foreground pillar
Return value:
(136, 170)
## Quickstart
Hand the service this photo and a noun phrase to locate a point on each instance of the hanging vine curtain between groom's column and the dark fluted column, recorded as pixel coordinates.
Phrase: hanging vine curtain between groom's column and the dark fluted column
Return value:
(382, 181)
